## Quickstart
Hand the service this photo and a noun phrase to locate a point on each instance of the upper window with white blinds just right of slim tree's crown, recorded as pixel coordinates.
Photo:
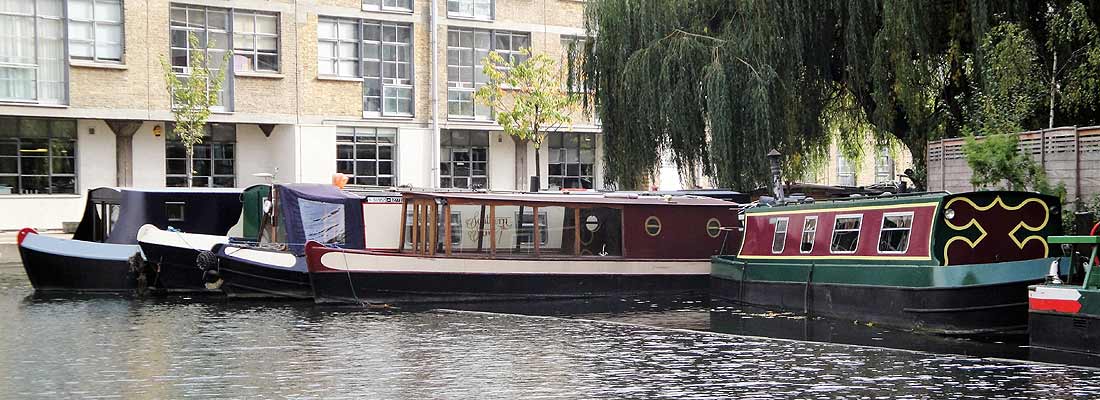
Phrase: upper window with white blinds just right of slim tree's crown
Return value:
(256, 41)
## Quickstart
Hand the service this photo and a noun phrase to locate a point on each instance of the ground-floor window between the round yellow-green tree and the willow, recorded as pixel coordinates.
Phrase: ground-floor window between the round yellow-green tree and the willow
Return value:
(573, 161)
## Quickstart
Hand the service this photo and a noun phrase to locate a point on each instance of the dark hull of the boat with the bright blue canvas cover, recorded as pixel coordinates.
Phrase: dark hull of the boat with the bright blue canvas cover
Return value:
(250, 281)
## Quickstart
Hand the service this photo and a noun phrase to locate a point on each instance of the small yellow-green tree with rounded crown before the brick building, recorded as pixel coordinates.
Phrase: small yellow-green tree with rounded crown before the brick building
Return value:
(530, 98)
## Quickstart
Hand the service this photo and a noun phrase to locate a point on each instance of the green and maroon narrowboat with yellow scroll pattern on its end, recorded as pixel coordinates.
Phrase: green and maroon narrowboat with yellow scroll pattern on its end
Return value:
(941, 263)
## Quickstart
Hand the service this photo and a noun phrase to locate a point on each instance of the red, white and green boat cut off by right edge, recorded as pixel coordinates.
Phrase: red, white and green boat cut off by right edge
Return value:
(1064, 317)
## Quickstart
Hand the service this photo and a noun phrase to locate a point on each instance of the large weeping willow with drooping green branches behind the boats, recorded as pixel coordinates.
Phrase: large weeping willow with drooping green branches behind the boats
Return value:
(717, 84)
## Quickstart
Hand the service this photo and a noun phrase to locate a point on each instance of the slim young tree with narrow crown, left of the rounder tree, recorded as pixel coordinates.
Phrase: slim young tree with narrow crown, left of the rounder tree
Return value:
(193, 96)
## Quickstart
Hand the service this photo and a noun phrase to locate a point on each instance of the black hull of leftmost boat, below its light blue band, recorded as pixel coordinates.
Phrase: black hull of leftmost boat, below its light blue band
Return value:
(53, 273)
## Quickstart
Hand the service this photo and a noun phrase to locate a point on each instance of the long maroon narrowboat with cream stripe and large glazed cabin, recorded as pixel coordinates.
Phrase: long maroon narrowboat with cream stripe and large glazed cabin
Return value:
(470, 247)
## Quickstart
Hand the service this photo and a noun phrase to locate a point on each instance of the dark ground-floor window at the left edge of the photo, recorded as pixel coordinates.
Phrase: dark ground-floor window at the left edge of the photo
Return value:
(38, 157)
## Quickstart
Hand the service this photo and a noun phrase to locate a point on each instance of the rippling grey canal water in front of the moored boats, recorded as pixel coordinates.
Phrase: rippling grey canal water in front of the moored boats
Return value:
(683, 349)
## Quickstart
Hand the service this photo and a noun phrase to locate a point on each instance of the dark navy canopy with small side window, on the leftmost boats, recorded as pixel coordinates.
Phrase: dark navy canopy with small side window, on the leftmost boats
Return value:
(115, 215)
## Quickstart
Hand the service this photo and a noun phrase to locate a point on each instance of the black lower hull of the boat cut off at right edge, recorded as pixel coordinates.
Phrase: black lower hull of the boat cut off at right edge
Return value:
(1077, 334)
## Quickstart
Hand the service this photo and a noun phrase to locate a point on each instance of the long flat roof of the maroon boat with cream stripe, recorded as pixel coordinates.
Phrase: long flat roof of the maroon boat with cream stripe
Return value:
(607, 199)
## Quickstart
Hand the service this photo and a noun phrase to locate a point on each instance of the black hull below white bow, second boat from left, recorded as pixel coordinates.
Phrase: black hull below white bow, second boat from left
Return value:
(177, 270)
